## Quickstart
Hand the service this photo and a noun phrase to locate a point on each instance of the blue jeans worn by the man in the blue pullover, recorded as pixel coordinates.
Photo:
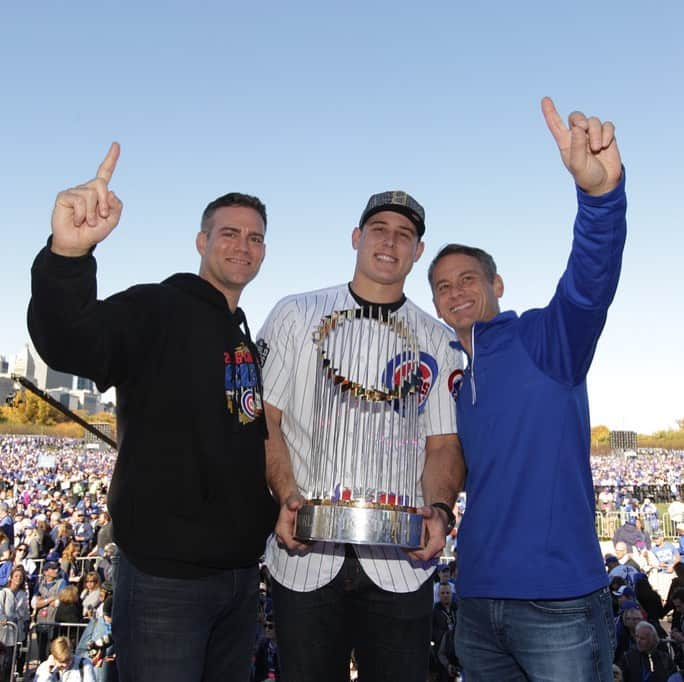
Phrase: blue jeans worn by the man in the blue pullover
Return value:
(551, 641)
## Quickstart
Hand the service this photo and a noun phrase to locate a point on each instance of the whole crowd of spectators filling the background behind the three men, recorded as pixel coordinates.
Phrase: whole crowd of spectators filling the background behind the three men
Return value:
(58, 561)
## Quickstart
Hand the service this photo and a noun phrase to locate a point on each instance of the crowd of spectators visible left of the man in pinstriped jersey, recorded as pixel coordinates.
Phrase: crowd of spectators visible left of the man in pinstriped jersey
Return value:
(58, 563)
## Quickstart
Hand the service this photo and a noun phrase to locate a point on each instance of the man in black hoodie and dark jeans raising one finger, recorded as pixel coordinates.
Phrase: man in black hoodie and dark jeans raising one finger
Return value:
(186, 595)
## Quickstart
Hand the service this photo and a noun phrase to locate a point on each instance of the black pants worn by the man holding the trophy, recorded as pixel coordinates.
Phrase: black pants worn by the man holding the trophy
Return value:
(388, 631)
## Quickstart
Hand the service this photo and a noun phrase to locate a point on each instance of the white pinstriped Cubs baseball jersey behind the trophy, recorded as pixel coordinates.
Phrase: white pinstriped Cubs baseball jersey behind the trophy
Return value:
(289, 377)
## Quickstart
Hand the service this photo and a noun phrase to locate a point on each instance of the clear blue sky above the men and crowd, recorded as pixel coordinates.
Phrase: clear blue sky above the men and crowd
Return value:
(314, 106)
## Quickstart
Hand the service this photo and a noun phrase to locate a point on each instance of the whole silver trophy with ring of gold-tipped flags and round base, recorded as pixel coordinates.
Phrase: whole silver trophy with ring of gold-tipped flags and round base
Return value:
(363, 474)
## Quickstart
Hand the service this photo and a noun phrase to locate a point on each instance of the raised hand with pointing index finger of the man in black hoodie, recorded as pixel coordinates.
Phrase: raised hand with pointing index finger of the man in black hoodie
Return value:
(84, 215)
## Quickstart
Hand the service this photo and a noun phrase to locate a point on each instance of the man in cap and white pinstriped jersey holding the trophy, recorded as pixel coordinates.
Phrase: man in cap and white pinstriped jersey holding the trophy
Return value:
(331, 598)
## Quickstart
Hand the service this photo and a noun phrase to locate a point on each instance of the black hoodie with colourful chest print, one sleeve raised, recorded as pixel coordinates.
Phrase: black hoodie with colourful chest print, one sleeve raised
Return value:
(188, 496)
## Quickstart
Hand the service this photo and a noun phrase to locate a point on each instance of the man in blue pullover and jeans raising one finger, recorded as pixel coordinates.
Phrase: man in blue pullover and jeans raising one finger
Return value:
(542, 610)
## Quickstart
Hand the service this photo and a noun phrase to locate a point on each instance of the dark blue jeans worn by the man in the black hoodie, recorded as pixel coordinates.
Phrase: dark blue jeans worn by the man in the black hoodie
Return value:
(184, 630)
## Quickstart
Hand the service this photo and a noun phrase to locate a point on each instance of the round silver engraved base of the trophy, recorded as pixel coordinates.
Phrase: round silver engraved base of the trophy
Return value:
(327, 522)
